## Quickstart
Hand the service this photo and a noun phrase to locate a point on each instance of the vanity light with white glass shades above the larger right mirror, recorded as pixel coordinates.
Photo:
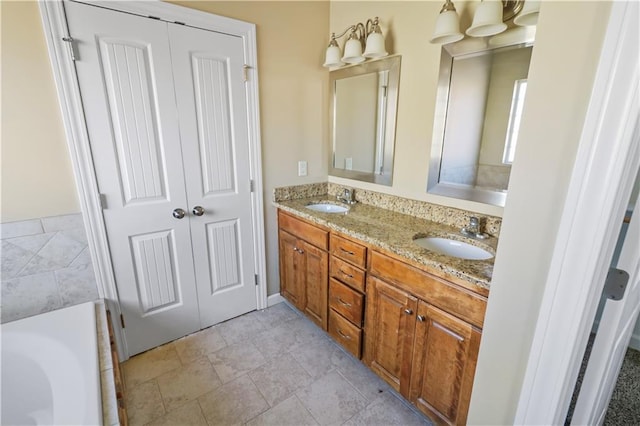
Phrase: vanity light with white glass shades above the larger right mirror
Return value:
(489, 19)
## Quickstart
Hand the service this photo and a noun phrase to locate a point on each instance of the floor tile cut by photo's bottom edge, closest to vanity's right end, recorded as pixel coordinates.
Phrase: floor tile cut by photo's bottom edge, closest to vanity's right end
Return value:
(387, 410)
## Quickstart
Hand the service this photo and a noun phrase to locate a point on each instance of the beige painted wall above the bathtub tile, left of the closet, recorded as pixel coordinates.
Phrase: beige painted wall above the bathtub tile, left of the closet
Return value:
(37, 179)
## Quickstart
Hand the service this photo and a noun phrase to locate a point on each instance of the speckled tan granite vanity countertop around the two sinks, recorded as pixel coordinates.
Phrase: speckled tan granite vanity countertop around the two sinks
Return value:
(394, 232)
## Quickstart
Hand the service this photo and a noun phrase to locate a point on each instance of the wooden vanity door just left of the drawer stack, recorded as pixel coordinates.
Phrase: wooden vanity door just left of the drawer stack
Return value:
(317, 284)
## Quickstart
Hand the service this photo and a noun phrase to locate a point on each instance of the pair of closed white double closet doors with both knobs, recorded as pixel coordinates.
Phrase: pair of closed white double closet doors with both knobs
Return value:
(166, 111)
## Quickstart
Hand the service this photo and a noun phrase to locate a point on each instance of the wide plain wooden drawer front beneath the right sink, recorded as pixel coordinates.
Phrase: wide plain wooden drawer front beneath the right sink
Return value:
(455, 300)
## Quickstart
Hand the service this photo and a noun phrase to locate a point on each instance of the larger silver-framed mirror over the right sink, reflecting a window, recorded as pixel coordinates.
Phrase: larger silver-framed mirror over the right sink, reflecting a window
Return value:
(481, 90)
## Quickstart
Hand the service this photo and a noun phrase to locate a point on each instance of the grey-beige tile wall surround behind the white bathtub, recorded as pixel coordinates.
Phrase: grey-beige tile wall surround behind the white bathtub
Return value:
(45, 266)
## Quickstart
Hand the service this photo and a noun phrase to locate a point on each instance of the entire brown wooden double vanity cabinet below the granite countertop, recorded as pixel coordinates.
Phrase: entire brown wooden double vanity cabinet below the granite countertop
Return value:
(417, 331)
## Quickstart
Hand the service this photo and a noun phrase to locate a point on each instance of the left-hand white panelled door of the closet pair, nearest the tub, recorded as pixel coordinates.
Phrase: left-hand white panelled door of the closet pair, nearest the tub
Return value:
(126, 82)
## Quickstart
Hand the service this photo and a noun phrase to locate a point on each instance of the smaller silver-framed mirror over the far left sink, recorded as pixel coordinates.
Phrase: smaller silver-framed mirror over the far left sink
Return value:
(364, 99)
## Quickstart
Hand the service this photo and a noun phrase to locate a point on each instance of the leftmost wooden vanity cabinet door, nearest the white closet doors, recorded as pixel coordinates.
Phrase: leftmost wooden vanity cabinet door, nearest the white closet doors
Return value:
(292, 270)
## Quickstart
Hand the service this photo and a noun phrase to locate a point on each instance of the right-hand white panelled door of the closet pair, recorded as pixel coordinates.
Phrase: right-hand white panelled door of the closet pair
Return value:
(212, 105)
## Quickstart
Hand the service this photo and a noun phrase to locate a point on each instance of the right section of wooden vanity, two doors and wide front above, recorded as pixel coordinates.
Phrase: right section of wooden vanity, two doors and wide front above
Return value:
(426, 353)
